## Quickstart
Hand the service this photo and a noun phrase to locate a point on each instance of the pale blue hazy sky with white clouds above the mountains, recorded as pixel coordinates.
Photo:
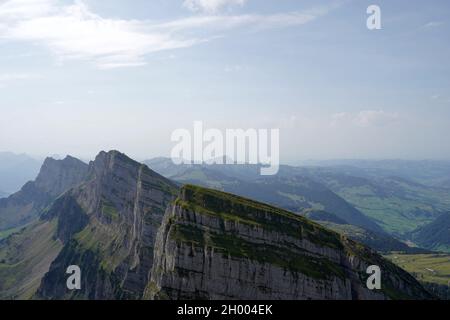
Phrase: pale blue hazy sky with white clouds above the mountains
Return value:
(77, 77)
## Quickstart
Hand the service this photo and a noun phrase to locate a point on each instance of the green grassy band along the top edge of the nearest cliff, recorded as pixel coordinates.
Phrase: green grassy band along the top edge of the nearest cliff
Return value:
(241, 210)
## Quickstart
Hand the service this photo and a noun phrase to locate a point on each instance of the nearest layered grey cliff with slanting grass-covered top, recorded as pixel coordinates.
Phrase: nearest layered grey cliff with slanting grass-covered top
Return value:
(214, 245)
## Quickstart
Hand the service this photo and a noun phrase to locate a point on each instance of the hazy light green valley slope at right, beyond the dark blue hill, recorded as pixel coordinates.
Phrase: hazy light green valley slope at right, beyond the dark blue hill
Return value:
(398, 205)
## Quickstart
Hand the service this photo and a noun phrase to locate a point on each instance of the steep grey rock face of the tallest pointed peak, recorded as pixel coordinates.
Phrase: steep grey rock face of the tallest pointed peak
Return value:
(108, 226)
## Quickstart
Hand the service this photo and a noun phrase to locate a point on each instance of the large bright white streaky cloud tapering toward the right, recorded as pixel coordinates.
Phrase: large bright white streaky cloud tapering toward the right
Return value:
(75, 32)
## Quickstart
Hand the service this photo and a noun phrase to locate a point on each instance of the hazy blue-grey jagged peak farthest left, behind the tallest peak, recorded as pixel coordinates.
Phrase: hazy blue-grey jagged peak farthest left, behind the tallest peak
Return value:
(55, 177)
